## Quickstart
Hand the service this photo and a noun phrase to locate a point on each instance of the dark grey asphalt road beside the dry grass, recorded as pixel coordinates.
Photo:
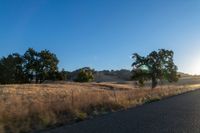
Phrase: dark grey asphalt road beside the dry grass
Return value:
(179, 114)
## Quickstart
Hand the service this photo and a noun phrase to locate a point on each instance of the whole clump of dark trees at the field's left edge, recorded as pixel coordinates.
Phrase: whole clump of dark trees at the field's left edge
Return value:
(32, 66)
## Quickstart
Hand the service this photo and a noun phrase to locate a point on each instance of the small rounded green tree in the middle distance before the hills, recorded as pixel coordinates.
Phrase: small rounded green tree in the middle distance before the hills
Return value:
(85, 75)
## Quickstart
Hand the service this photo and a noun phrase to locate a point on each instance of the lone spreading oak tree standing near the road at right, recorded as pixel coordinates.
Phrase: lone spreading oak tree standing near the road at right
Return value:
(158, 65)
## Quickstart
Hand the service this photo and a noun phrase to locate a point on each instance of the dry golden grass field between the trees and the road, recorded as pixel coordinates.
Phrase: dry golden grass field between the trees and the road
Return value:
(25, 108)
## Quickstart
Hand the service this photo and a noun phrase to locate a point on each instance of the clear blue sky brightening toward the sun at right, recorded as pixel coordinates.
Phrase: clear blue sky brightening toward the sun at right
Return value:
(102, 34)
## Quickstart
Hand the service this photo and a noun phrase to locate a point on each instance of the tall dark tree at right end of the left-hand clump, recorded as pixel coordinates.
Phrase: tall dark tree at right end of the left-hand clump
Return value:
(40, 66)
